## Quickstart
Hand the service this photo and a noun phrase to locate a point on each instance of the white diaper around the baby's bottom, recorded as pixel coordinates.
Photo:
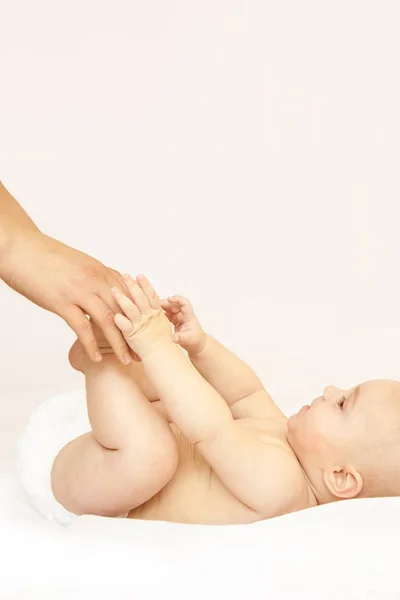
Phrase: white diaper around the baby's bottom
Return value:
(57, 421)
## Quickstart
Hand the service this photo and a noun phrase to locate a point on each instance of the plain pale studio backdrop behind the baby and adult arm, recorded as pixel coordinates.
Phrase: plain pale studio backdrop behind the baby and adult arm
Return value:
(242, 153)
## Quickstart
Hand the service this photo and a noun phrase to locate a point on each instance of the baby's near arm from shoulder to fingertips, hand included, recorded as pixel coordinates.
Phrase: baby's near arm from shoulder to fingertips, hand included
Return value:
(261, 474)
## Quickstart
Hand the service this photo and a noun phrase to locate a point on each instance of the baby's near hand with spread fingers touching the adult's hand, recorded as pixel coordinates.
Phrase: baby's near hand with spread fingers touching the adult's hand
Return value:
(142, 322)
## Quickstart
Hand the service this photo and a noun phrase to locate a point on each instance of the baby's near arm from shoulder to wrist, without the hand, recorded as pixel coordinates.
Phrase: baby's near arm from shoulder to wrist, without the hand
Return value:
(261, 474)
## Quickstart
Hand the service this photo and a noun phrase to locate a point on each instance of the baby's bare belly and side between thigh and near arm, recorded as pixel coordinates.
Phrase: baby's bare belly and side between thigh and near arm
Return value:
(194, 495)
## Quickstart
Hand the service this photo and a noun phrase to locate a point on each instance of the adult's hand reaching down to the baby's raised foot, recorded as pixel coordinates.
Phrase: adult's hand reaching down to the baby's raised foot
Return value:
(71, 284)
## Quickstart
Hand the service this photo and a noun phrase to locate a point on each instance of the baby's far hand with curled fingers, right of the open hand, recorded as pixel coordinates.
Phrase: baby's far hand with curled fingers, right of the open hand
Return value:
(188, 331)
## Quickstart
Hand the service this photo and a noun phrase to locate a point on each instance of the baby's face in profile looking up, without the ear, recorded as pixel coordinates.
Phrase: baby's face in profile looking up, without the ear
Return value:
(337, 424)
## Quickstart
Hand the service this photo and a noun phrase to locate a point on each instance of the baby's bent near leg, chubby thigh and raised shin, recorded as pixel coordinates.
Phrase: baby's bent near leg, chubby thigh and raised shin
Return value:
(128, 457)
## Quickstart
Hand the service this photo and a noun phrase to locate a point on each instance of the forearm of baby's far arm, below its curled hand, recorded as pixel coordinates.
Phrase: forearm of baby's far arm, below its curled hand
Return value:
(227, 373)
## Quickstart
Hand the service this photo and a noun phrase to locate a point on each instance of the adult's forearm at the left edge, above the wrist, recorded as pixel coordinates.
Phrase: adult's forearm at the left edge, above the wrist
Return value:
(14, 225)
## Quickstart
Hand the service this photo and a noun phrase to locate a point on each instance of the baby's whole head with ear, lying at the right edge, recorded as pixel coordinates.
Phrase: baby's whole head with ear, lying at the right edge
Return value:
(348, 441)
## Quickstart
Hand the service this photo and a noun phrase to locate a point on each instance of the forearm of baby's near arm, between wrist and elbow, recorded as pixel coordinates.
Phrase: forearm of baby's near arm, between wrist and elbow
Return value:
(193, 404)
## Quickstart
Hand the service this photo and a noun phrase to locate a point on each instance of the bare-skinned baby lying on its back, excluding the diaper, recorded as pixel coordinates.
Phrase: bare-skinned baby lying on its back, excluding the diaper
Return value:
(194, 437)
